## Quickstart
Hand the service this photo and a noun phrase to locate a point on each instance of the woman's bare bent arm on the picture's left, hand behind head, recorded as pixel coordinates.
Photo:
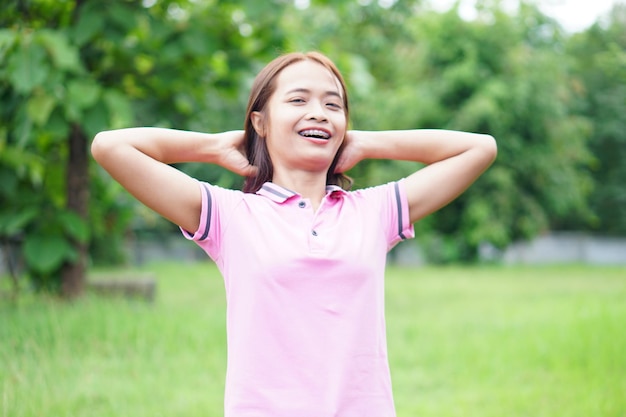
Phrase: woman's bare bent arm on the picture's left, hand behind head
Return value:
(138, 159)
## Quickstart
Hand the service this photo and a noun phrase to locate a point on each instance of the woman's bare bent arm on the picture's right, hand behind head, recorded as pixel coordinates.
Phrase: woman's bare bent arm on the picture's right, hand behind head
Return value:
(454, 161)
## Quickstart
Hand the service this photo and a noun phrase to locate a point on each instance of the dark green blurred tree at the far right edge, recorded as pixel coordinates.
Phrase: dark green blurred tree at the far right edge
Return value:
(599, 55)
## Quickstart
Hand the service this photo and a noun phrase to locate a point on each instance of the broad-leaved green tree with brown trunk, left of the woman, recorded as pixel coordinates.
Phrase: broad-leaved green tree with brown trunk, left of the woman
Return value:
(72, 68)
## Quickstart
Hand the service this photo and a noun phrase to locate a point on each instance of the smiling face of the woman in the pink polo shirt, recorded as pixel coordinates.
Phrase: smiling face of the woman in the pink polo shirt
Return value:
(304, 121)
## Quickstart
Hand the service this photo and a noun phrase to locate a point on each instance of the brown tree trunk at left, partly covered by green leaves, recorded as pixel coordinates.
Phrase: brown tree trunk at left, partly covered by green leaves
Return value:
(73, 275)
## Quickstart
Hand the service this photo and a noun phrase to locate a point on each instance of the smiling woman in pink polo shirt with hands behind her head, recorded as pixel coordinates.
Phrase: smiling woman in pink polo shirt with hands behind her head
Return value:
(303, 259)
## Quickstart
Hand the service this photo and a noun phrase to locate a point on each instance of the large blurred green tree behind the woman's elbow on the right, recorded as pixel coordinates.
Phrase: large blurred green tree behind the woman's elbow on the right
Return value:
(508, 76)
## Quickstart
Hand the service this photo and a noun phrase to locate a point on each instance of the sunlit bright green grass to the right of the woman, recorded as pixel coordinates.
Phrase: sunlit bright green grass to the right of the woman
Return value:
(508, 342)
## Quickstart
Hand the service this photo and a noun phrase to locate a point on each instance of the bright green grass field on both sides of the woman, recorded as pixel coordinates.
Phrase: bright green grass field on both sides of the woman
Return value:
(476, 341)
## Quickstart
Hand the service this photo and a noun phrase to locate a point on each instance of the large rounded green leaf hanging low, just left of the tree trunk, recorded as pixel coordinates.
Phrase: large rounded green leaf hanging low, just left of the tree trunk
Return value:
(45, 253)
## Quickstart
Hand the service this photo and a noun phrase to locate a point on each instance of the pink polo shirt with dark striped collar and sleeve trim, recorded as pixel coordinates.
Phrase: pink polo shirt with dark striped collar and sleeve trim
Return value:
(305, 297)
